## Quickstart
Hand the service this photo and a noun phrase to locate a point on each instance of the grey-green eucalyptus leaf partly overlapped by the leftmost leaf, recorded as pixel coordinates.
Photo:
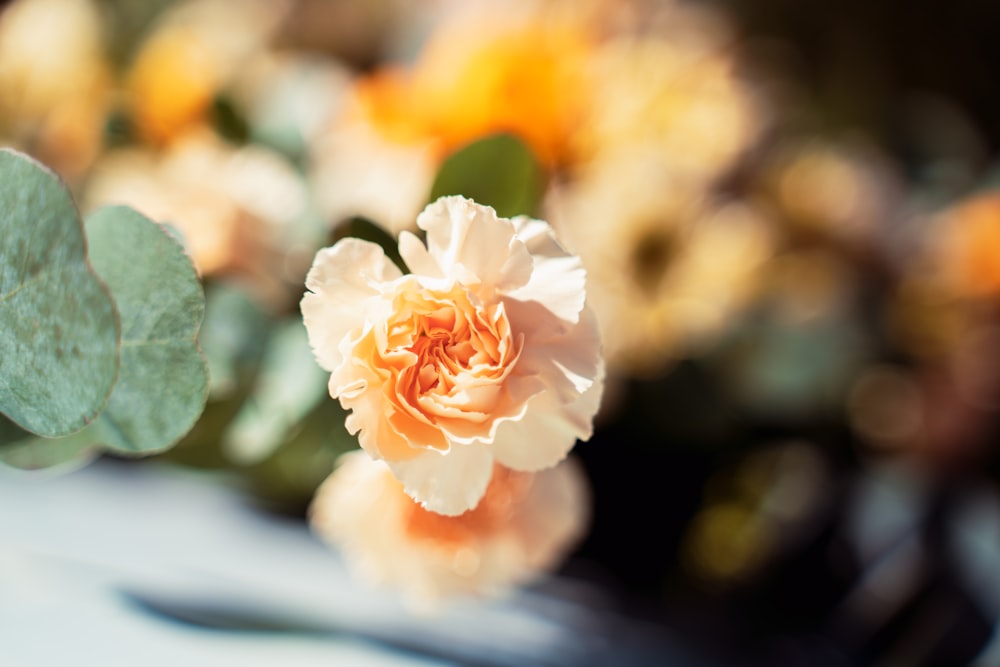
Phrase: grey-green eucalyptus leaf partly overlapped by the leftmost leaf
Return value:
(163, 381)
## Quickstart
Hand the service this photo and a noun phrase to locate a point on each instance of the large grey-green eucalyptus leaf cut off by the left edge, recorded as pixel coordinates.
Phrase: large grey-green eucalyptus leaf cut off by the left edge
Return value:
(58, 329)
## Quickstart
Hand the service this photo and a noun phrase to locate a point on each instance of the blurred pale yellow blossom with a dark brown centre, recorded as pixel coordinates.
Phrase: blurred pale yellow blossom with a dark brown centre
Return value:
(667, 266)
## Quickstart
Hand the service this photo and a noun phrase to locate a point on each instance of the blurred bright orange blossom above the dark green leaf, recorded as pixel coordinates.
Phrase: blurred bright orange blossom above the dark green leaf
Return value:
(486, 72)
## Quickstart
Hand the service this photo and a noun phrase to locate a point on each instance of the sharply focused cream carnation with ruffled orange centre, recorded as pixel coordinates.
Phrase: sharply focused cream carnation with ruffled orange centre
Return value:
(484, 353)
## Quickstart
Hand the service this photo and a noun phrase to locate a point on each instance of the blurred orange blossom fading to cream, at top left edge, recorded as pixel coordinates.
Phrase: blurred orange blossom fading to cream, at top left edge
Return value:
(195, 50)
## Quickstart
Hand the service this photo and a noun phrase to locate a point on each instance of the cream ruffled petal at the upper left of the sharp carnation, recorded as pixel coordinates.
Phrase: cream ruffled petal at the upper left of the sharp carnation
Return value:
(343, 278)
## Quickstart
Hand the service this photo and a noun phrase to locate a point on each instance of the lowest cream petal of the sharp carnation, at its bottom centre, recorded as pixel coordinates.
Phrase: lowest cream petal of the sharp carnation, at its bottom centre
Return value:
(450, 482)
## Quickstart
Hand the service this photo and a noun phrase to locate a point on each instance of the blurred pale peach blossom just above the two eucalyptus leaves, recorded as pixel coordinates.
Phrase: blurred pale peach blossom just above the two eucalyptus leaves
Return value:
(233, 206)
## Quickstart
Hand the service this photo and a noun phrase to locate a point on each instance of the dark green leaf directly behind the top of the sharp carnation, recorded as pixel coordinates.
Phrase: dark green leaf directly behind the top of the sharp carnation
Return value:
(499, 171)
